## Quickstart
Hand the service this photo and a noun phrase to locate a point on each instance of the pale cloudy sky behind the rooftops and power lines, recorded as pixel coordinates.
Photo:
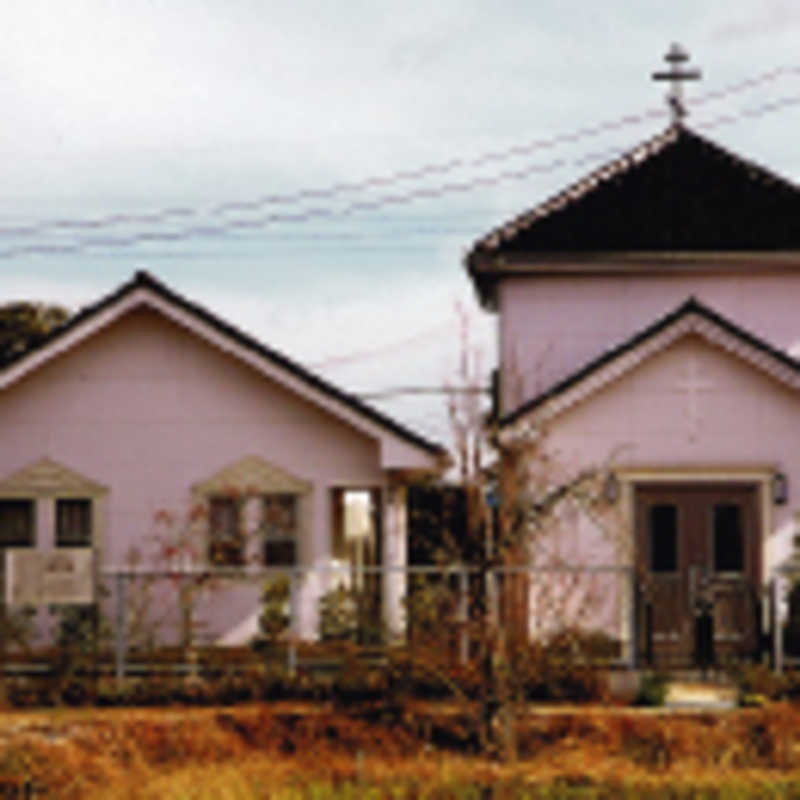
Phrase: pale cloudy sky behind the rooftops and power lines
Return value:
(314, 172)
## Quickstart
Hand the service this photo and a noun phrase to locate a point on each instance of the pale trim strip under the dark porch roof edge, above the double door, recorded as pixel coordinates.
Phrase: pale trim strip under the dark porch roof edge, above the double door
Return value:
(692, 323)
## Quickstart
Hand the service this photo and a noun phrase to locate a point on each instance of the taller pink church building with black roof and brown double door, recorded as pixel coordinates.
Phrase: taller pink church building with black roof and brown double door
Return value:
(648, 320)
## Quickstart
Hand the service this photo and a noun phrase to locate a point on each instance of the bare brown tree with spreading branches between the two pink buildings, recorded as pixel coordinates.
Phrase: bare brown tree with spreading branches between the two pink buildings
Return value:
(520, 502)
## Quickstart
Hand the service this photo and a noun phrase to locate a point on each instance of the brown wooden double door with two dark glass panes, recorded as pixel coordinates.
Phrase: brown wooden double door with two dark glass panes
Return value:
(698, 553)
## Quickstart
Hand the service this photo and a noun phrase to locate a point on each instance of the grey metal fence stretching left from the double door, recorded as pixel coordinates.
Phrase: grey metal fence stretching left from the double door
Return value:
(142, 610)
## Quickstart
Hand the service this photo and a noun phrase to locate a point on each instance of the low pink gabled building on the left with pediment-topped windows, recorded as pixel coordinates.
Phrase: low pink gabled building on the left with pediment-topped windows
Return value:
(146, 406)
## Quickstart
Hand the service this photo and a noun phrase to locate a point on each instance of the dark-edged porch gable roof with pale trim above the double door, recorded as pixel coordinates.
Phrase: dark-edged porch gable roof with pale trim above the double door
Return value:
(691, 317)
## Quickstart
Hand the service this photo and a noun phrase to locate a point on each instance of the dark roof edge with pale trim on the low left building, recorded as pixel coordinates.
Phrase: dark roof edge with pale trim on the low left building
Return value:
(144, 289)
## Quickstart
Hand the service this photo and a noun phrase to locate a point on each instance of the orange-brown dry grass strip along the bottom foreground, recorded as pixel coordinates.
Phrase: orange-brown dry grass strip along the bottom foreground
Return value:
(282, 752)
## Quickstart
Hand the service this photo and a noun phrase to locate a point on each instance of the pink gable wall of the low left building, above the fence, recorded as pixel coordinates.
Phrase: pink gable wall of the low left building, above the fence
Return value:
(148, 410)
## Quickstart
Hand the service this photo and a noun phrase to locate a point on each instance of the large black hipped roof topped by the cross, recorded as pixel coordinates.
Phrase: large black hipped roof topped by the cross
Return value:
(677, 192)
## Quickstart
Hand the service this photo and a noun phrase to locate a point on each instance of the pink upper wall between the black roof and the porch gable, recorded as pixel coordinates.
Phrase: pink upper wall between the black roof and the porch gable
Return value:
(550, 327)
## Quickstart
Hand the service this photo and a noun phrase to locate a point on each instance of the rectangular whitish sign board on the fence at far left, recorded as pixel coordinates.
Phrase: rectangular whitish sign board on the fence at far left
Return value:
(49, 577)
